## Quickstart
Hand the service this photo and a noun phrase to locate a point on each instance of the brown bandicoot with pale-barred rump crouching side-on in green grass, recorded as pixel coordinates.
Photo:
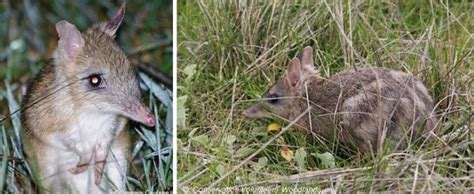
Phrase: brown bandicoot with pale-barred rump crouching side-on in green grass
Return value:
(355, 107)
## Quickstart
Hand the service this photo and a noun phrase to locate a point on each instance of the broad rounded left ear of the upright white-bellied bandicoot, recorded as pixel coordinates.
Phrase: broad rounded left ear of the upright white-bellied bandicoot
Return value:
(70, 40)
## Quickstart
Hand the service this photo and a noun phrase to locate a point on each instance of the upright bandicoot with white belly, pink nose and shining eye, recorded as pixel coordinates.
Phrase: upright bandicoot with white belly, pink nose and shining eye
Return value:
(61, 107)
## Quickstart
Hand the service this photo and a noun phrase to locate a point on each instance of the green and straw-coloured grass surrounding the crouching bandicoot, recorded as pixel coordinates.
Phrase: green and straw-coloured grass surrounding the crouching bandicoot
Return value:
(230, 52)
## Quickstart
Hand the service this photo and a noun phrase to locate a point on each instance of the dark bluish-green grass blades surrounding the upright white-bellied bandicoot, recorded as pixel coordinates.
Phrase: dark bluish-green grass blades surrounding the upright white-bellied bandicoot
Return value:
(27, 41)
